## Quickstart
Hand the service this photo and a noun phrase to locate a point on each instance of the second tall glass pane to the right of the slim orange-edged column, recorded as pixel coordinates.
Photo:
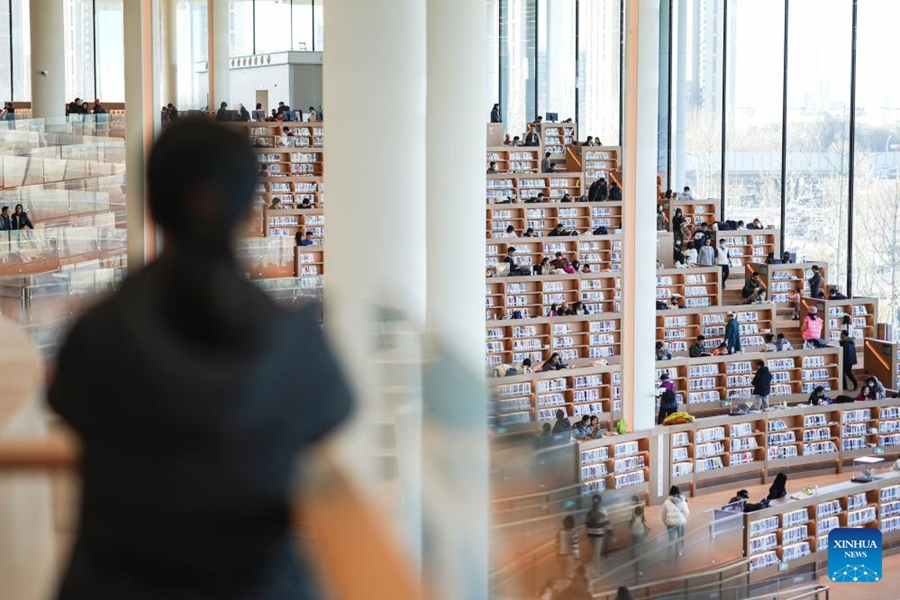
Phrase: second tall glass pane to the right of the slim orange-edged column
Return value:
(754, 114)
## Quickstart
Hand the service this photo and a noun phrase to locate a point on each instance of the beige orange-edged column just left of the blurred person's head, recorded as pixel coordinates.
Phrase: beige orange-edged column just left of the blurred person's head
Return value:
(142, 122)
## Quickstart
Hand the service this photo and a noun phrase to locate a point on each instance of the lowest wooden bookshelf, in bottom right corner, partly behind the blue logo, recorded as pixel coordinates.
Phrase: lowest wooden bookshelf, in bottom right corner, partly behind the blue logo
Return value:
(794, 534)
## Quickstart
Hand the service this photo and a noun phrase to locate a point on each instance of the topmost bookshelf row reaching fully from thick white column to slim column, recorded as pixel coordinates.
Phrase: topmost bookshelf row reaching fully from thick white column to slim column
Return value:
(582, 217)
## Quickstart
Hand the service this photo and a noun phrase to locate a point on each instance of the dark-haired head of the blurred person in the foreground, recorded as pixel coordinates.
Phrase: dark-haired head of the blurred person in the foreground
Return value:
(201, 180)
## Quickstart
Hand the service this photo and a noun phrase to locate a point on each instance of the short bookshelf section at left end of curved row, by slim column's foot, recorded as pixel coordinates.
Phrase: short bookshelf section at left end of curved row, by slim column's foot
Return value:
(615, 462)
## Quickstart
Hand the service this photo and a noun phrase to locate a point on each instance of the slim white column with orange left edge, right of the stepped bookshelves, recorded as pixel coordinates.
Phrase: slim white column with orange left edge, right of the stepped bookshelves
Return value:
(639, 147)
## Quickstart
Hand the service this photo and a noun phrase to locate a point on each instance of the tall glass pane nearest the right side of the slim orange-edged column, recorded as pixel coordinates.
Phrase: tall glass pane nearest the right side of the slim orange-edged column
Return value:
(697, 100)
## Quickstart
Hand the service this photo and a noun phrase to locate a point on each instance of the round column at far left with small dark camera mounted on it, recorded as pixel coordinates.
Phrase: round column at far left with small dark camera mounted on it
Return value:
(48, 61)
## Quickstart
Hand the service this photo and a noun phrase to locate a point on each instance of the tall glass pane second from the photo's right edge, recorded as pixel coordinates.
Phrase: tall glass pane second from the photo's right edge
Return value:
(818, 131)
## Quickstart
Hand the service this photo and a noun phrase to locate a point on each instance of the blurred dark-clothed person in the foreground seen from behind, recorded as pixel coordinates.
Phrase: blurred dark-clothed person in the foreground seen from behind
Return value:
(192, 428)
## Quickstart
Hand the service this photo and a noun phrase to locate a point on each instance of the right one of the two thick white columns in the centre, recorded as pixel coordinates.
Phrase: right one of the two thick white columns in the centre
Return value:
(455, 400)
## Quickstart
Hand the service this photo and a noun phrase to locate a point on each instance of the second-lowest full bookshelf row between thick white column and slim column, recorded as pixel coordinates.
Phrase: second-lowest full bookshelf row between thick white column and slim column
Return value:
(577, 339)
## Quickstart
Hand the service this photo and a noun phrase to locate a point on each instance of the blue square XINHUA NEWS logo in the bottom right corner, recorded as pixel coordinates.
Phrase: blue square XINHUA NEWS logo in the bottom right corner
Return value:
(854, 555)
